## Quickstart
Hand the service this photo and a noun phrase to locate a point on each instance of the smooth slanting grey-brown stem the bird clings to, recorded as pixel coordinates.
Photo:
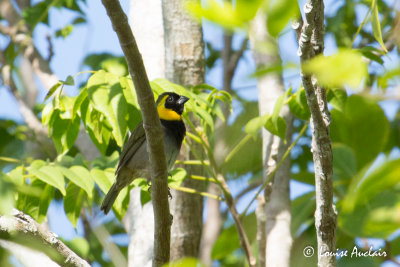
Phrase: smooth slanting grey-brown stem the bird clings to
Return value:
(152, 127)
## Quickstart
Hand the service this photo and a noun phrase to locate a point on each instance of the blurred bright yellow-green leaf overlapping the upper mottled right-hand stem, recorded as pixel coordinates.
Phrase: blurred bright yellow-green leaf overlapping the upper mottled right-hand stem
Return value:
(346, 67)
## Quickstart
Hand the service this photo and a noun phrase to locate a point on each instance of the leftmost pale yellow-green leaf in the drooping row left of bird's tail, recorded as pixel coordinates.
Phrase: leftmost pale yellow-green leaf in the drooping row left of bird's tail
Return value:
(50, 175)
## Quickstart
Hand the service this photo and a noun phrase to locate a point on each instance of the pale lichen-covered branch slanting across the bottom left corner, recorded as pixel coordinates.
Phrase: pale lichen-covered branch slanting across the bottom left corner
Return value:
(20, 225)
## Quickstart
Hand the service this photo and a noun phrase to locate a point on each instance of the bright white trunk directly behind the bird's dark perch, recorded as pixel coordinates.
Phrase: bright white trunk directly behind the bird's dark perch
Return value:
(147, 26)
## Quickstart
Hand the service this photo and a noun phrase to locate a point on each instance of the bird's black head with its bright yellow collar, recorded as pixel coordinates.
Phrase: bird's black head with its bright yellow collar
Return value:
(170, 106)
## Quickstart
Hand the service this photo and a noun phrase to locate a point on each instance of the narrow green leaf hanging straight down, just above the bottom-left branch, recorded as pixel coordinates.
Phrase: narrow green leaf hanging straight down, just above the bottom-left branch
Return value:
(73, 202)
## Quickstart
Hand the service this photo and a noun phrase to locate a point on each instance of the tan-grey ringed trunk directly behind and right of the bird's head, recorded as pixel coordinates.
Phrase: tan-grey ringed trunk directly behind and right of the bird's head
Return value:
(184, 64)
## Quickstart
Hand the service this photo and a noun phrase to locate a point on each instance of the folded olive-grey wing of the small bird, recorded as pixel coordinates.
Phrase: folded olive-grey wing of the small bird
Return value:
(134, 142)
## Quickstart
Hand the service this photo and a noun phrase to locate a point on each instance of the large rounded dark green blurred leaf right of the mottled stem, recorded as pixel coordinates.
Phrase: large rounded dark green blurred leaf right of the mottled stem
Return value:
(362, 126)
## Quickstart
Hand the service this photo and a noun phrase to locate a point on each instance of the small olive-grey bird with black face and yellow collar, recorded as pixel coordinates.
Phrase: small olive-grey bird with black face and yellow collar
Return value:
(134, 159)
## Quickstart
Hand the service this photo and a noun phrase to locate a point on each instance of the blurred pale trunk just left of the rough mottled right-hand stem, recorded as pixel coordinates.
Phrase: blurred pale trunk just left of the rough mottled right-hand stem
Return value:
(277, 208)
